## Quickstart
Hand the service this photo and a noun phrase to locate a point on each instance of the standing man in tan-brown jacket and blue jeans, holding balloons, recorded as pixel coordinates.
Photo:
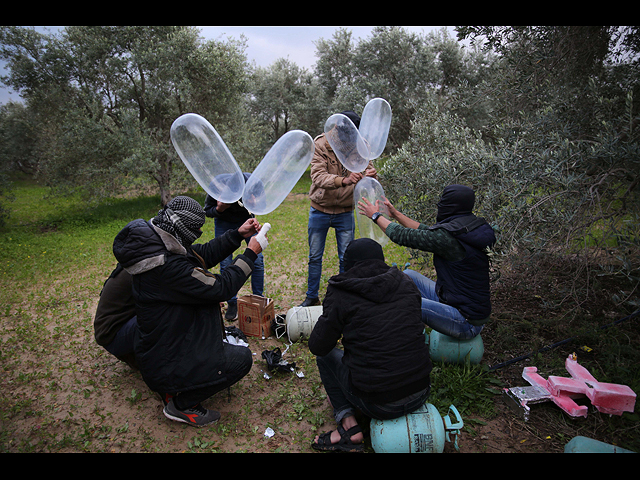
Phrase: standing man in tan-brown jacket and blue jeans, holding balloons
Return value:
(332, 205)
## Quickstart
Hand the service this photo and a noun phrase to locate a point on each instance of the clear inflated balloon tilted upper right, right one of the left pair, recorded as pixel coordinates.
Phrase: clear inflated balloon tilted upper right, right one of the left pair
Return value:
(278, 172)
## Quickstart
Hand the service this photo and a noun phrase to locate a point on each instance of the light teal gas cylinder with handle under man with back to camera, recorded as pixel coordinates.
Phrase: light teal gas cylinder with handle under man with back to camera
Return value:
(422, 431)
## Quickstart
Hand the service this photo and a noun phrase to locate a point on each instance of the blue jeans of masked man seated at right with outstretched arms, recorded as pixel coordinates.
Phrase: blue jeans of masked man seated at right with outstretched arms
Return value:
(441, 317)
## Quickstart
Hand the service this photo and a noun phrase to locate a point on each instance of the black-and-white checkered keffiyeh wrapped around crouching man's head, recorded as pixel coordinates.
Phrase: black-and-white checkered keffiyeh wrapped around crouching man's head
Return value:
(183, 218)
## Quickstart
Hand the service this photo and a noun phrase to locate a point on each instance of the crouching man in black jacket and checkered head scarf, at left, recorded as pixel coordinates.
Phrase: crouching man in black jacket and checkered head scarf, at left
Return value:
(179, 344)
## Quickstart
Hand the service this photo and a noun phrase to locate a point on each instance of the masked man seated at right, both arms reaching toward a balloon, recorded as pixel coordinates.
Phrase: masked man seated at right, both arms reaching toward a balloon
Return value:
(458, 303)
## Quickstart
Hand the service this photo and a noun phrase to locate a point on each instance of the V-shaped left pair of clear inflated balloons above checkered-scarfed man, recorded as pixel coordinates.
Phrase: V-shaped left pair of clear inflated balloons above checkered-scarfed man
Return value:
(213, 166)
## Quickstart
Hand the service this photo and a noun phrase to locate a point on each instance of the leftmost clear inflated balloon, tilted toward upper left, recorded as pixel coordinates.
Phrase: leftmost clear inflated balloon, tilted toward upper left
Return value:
(207, 157)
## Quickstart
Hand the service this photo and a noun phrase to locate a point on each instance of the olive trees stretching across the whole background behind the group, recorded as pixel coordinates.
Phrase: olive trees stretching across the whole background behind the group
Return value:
(542, 122)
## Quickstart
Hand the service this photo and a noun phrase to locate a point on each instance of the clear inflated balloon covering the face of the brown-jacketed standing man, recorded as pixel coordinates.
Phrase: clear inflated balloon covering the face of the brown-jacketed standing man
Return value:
(346, 142)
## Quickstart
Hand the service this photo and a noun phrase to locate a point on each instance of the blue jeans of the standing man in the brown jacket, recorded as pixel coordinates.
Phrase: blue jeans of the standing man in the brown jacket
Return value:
(319, 224)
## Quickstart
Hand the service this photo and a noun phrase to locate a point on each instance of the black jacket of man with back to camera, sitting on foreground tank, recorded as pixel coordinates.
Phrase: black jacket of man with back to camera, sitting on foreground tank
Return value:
(376, 309)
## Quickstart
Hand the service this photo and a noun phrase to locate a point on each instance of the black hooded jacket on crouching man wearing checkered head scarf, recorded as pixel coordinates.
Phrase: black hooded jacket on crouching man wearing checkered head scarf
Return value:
(179, 345)
